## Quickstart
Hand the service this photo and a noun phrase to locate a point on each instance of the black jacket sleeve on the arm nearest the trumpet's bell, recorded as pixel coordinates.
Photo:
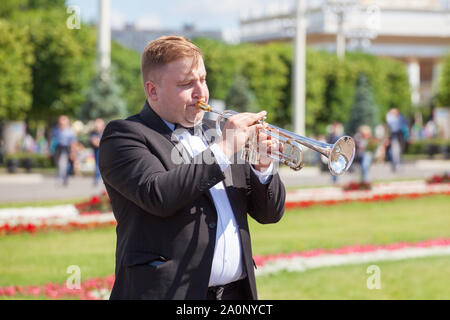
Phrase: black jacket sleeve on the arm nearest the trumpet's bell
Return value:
(266, 202)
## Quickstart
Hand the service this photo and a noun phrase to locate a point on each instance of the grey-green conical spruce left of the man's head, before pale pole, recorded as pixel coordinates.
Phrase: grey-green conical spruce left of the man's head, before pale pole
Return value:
(104, 100)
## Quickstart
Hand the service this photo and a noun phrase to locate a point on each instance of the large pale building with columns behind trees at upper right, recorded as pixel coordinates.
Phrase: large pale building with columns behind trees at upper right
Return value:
(416, 32)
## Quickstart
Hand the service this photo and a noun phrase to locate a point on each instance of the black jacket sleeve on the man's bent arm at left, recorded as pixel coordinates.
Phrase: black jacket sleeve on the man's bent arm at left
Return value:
(127, 164)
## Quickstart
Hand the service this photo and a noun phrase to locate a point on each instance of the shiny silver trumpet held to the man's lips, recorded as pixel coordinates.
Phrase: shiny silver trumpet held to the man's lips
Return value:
(340, 154)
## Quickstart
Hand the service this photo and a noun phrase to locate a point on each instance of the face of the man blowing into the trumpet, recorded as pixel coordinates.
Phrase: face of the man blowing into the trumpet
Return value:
(178, 89)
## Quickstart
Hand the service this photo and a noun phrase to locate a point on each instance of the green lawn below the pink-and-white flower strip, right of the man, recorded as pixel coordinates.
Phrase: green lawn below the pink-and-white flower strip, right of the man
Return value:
(427, 278)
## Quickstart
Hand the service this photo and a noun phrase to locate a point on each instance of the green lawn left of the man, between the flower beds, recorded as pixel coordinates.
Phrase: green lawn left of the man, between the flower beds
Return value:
(42, 258)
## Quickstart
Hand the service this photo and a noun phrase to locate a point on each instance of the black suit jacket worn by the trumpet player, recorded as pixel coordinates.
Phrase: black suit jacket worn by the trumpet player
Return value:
(166, 219)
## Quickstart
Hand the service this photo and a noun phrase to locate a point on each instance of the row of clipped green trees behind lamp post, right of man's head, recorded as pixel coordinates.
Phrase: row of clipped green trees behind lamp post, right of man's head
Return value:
(330, 82)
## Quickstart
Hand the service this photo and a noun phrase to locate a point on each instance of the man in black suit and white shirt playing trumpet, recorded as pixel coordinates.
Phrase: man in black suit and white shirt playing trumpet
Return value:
(182, 229)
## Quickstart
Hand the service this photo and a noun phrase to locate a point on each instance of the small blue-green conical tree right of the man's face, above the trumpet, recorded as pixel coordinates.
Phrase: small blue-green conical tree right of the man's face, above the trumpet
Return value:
(240, 98)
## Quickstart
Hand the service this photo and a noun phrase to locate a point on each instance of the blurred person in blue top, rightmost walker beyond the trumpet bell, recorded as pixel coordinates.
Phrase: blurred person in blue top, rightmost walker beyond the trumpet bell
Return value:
(396, 122)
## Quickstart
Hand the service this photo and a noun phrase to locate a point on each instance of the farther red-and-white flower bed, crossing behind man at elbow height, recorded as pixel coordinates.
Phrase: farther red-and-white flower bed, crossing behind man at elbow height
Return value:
(81, 216)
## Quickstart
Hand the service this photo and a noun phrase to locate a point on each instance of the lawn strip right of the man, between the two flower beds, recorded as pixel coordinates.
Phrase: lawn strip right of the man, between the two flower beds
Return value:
(354, 223)
